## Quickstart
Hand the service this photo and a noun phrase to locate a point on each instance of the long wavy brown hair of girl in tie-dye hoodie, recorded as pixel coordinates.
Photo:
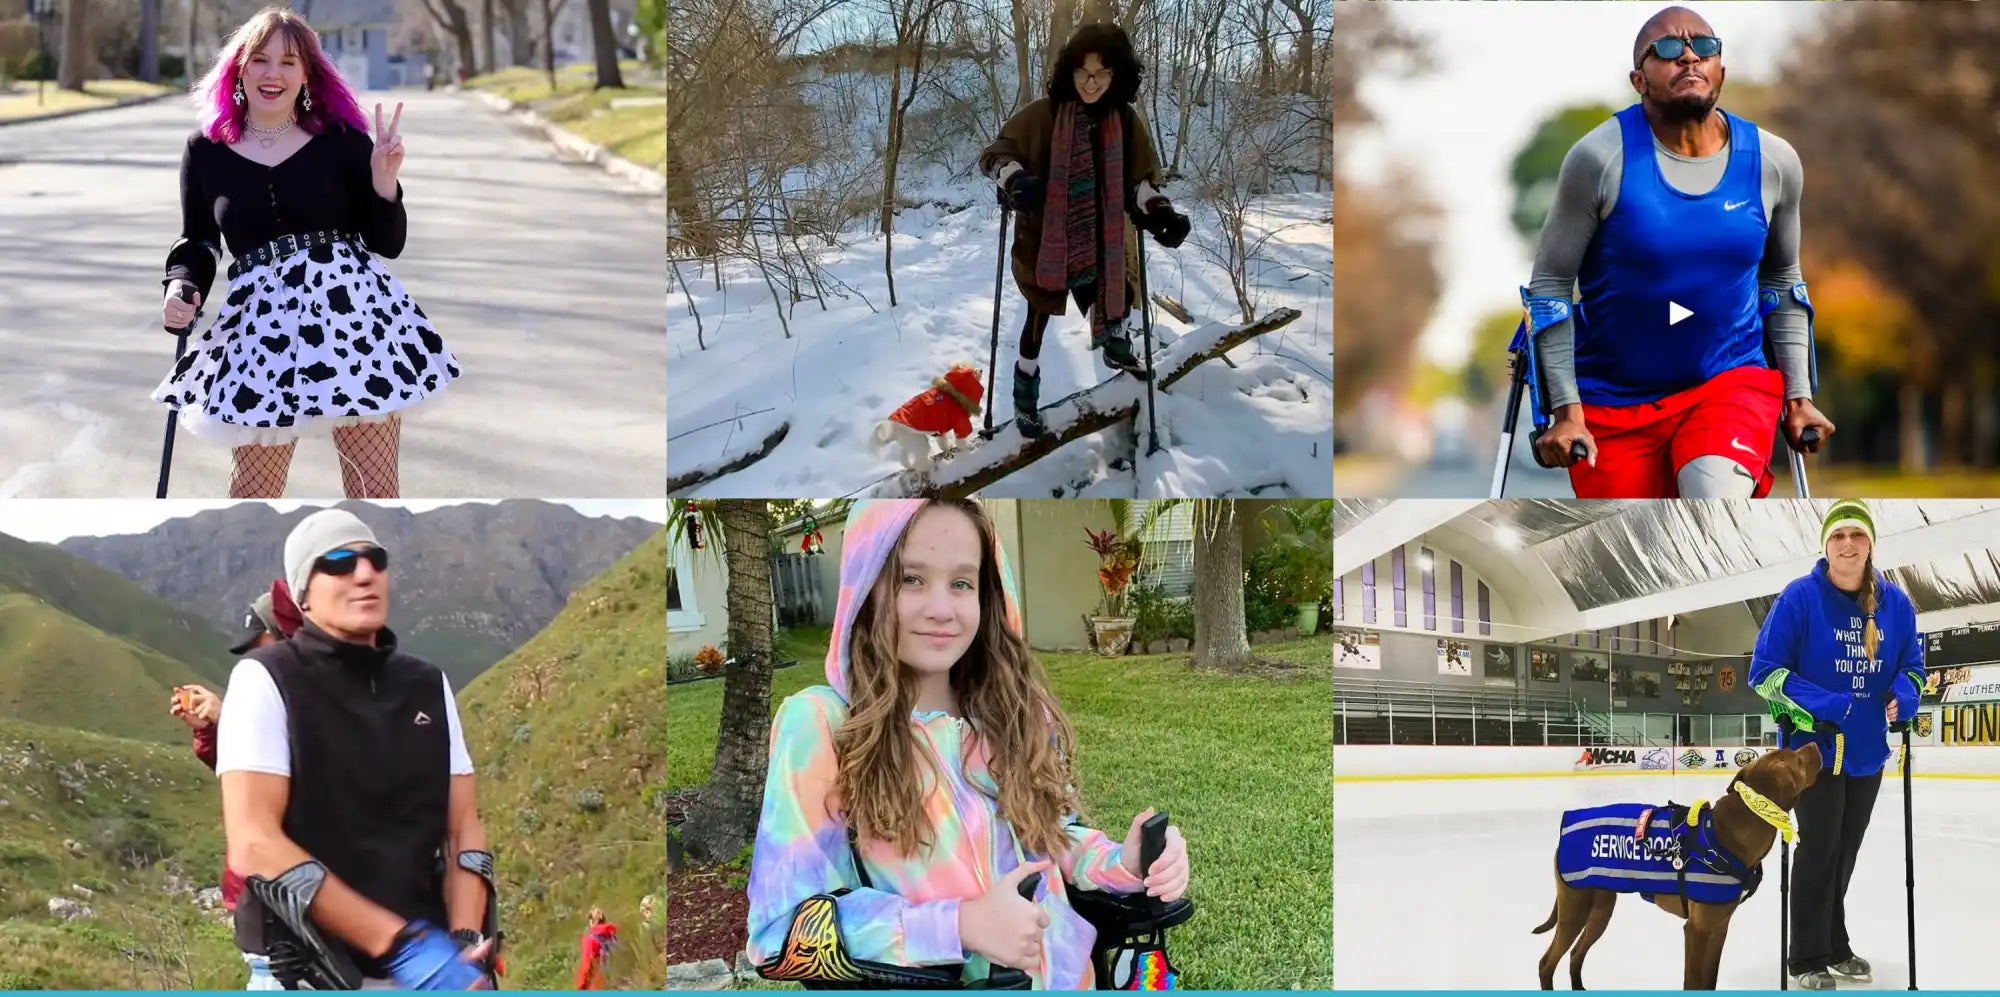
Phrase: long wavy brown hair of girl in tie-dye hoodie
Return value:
(1003, 692)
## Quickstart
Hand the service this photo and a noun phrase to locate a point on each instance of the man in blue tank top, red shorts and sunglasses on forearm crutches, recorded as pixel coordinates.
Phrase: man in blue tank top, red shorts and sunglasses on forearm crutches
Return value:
(1693, 335)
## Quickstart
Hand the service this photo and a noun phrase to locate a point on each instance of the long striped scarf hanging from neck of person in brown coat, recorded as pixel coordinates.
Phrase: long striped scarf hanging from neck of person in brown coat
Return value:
(1077, 201)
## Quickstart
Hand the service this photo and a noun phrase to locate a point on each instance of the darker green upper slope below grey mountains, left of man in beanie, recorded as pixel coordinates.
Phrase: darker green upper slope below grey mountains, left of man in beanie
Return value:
(115, 606)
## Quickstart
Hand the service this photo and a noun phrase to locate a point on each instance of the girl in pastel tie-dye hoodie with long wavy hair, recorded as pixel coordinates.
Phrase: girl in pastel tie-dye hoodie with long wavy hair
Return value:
(939, 746)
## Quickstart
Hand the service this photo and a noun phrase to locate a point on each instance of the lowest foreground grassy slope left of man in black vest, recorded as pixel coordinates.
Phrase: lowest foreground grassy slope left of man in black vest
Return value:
(143, 816)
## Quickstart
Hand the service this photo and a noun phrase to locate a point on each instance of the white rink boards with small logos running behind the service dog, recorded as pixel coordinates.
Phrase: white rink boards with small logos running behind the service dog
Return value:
(1393, 764)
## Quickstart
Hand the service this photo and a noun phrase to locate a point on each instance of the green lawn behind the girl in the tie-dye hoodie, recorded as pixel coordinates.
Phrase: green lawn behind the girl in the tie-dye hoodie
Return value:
(1243, 764)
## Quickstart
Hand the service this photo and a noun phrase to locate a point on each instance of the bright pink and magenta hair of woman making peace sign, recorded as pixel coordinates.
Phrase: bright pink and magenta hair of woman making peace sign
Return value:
(215, 93)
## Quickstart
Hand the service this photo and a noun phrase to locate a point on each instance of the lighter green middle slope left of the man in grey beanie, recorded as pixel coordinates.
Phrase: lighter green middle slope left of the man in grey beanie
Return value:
(61, 672)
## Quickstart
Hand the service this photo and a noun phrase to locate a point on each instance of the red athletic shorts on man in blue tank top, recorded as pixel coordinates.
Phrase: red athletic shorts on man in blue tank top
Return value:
(1641, 447)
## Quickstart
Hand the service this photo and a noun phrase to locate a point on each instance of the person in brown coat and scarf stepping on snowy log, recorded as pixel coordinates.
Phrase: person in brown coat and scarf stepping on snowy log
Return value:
(1053, 163)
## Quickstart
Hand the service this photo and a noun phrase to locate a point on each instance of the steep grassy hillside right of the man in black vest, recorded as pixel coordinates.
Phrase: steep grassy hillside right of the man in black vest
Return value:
(571, 742)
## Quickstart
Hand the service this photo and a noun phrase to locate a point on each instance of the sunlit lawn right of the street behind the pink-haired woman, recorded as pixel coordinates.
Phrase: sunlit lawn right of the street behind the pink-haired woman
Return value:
(637, 131)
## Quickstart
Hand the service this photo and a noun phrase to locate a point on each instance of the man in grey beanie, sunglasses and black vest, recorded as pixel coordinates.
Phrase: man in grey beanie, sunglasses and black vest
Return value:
(345, 776)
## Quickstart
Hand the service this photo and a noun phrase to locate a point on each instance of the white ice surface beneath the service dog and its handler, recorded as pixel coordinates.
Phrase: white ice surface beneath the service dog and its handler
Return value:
(1439, 884)
